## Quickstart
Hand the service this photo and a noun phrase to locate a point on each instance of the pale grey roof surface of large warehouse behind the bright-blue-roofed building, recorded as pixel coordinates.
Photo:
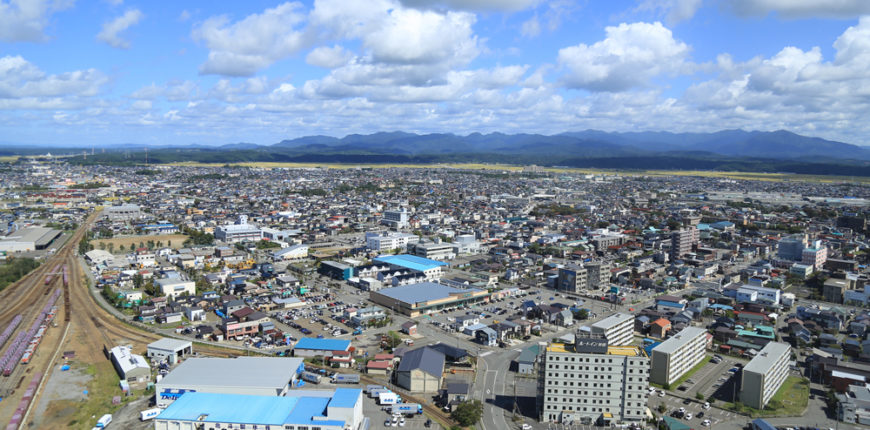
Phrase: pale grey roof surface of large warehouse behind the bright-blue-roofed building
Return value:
(265, 372)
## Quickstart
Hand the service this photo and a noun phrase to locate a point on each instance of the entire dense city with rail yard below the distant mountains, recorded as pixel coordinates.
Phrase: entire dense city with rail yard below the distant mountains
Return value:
(356, 298)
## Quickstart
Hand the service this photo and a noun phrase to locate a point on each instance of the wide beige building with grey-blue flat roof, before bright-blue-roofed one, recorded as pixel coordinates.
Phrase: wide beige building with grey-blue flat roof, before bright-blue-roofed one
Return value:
(419, 299)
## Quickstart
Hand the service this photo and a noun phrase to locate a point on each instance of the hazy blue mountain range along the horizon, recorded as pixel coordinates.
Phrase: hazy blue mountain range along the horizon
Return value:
(776, 151)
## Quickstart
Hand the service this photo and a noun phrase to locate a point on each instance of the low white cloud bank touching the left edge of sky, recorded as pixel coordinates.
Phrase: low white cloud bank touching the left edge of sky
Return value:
(23, 84)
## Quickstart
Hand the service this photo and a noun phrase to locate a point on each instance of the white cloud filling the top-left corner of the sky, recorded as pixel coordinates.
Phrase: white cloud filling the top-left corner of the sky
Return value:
(25, 20)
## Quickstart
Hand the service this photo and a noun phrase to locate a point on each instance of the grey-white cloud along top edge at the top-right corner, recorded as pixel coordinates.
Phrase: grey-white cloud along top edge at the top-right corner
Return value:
(801, 8)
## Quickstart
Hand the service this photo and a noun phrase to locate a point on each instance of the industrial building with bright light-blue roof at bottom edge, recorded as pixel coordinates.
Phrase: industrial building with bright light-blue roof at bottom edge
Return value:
(341, 409)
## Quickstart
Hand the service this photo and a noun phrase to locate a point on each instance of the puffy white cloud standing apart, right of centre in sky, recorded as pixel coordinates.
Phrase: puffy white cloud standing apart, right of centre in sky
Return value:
(629, 57)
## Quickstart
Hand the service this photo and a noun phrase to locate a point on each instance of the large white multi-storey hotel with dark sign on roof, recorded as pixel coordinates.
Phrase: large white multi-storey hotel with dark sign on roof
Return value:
(590, 382)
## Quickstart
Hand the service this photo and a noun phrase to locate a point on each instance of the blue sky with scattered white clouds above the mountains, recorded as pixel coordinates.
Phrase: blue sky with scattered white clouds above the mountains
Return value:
(106, 72)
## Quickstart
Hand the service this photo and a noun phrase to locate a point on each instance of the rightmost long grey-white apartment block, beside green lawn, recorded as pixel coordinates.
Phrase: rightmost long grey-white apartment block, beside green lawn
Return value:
(764, 374)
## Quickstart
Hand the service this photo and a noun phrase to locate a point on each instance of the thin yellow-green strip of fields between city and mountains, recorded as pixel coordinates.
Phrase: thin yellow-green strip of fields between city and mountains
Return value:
(750, 176)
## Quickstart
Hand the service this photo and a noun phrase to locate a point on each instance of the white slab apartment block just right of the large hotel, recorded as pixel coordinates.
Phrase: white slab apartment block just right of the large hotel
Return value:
(677, 355)
